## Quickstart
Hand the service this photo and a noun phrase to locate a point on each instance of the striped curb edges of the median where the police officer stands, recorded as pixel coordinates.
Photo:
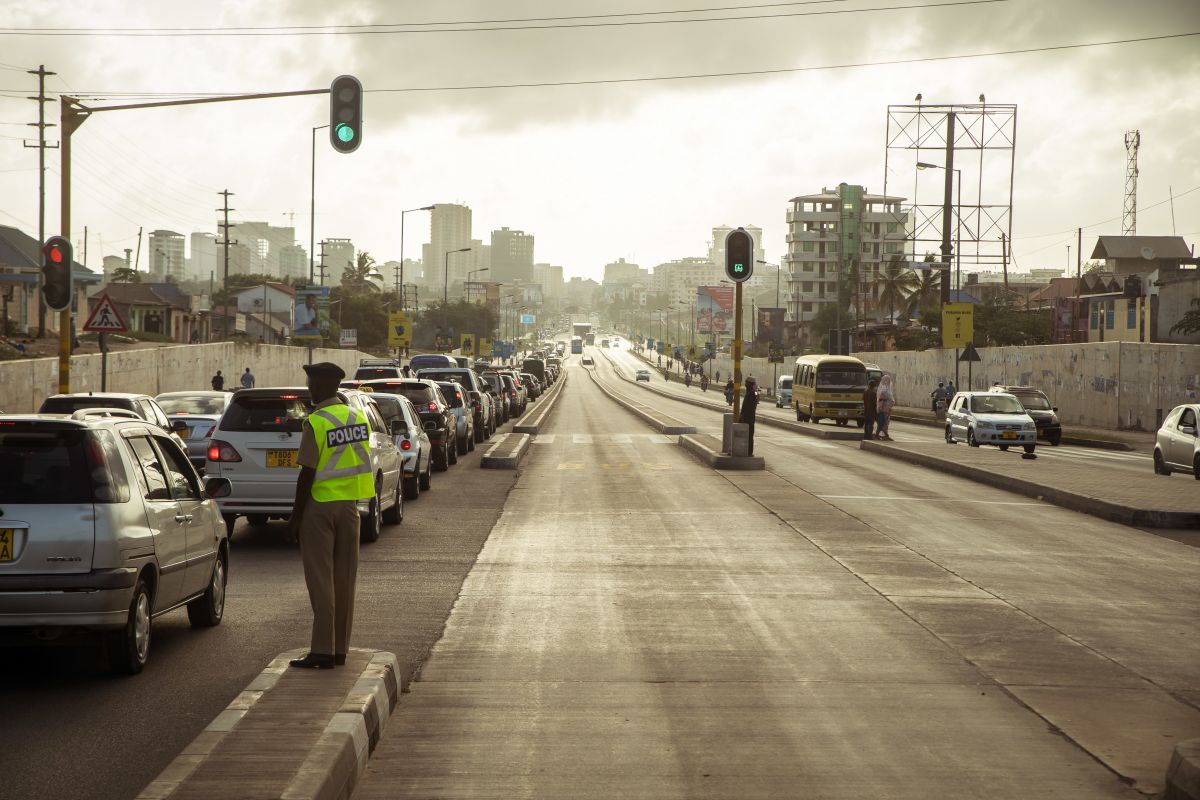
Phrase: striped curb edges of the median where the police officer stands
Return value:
(334, 765)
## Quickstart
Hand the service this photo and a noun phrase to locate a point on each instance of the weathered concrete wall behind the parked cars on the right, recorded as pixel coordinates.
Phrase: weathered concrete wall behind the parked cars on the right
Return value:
(1123, 386)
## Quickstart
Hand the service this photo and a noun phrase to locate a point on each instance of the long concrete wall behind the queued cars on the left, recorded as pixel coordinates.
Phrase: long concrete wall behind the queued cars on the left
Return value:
(26, 384)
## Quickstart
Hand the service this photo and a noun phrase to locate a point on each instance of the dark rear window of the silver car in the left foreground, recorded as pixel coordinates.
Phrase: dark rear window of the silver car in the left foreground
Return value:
(46, 466)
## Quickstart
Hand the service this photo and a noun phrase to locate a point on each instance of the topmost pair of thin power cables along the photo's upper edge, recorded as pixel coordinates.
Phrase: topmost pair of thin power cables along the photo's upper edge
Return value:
(395, 31)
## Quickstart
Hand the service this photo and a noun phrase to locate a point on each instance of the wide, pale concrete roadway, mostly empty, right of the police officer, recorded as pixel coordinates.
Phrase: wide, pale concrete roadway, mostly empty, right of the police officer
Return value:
(641, 627)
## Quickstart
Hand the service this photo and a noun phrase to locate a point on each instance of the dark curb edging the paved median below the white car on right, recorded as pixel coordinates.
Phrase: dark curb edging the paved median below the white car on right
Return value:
(1072, 501)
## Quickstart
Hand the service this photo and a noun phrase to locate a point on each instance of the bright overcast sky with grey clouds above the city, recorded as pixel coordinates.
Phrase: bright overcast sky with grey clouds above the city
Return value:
(637, 171)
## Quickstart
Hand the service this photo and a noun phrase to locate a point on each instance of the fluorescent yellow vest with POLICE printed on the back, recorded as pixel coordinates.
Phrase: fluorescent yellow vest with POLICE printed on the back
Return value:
(344, 468)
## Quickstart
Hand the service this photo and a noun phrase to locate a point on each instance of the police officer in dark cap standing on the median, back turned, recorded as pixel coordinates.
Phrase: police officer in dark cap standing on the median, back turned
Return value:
(335, 474)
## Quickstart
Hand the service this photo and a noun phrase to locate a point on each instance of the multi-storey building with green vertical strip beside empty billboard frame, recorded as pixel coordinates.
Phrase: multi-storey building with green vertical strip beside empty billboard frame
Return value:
(836, 236)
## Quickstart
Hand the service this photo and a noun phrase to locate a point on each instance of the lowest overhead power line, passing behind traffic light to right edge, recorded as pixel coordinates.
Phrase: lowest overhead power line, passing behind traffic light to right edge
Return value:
(700, 76)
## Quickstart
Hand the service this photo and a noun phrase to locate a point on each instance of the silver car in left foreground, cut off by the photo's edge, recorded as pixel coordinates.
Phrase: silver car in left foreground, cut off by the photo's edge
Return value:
(105, 526)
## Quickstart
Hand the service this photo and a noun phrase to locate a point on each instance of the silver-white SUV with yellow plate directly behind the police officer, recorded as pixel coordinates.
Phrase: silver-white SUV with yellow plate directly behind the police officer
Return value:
(255, 447)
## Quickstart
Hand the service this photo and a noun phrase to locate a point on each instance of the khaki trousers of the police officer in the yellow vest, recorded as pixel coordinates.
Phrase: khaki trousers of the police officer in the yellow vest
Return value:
(329, 549)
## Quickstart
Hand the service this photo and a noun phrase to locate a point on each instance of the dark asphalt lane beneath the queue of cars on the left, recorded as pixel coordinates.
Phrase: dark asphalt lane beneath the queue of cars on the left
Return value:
(73, 731)
